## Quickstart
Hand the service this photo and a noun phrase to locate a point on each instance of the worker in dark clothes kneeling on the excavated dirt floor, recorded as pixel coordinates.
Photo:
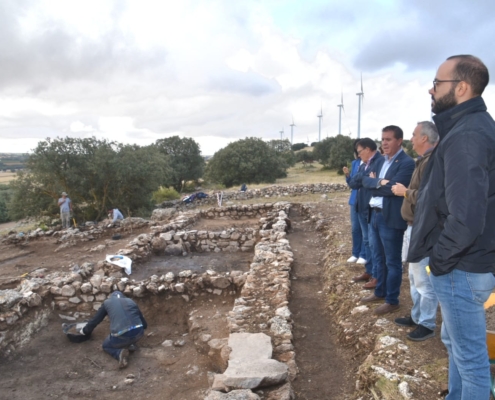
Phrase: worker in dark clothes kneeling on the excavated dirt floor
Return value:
(127, 326)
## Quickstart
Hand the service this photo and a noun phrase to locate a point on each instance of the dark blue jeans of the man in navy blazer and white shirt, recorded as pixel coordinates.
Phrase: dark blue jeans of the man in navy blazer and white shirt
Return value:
(386, 249)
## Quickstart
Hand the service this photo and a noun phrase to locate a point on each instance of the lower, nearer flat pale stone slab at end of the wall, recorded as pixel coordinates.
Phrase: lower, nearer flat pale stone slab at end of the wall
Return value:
(250, 375)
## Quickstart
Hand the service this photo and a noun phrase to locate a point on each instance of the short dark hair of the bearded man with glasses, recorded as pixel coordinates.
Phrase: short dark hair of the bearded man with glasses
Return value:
(471, 69)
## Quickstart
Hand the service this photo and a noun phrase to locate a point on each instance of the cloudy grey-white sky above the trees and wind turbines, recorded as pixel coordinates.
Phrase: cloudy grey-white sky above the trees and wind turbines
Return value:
(135, 71)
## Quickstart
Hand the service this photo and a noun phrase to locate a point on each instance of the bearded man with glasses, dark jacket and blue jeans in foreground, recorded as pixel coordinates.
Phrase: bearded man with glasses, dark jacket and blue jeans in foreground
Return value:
(454, 220)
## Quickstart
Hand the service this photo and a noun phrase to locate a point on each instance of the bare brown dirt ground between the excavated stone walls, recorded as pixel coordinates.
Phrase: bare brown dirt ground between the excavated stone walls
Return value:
(52, 367)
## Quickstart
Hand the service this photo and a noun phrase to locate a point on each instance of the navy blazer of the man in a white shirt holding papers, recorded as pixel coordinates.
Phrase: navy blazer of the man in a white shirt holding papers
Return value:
(399, 172)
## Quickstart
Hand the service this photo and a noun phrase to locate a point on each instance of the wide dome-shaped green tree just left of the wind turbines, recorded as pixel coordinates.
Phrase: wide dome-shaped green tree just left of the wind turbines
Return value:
(249, 160)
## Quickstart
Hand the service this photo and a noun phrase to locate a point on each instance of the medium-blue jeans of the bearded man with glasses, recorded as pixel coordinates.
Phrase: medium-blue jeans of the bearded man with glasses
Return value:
(461, 295)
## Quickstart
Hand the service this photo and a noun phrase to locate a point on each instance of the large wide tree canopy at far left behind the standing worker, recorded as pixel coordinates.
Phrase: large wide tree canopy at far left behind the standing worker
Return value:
(97, 175)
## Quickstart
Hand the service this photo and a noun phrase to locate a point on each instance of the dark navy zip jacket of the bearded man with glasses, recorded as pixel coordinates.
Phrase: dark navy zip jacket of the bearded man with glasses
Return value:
(454, 219)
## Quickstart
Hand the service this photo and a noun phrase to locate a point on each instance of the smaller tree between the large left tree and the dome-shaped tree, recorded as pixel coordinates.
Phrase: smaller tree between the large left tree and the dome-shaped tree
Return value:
(185, 159)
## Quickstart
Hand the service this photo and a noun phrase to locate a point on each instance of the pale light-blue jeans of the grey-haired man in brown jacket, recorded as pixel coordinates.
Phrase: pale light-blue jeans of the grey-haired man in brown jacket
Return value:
(425, 302)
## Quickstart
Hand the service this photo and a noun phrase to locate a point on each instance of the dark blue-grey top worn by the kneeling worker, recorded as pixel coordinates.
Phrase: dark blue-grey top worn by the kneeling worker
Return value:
(123, 312)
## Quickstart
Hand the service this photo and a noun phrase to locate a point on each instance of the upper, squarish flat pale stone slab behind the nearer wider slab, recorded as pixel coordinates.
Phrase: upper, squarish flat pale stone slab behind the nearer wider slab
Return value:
(250, 346)
